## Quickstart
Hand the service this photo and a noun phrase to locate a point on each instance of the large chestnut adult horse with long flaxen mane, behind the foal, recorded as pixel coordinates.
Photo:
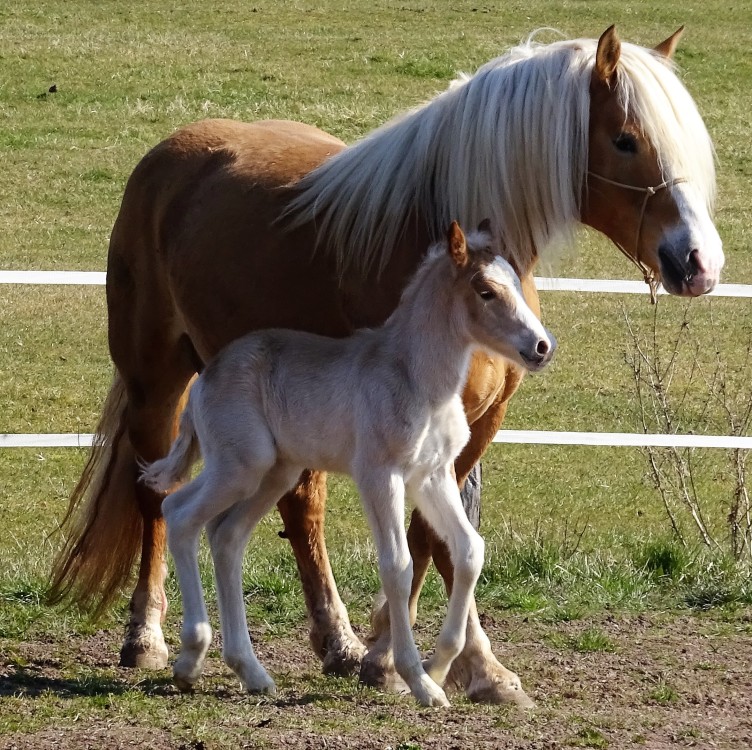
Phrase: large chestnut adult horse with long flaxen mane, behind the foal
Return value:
(228, 227)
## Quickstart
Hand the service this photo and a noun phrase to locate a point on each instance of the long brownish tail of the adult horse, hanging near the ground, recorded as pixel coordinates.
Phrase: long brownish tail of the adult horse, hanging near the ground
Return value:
(102, 527)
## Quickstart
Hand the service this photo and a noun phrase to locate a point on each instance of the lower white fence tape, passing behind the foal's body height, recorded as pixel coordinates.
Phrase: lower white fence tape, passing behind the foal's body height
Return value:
(535, 437)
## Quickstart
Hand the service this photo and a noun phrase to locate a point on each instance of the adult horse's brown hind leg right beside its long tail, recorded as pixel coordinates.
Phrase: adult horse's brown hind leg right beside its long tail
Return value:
(156, 362)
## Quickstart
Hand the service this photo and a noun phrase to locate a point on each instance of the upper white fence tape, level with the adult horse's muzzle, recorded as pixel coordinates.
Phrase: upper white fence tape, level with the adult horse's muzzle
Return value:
(544, 283)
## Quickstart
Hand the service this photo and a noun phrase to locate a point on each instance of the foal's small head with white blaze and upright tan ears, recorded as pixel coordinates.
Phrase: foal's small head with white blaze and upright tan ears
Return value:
(498, 317)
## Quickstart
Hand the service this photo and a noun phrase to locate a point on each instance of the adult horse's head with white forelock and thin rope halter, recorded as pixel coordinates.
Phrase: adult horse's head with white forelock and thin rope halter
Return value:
(651, 180)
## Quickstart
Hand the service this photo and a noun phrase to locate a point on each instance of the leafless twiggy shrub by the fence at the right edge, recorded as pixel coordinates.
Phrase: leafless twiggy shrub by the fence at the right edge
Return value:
(683, 387)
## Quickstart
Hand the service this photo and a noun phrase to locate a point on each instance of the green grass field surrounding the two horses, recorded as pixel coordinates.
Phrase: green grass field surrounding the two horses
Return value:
(575, 535)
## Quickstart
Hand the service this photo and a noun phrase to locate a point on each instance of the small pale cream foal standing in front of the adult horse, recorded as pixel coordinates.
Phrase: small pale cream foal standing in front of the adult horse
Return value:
(383, 406)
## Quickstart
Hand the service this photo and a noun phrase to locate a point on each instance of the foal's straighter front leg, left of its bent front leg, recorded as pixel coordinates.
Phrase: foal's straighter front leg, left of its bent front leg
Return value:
(383, 495)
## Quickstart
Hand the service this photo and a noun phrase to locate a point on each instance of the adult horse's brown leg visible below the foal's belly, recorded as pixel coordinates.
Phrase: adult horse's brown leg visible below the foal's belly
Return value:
(332, 637)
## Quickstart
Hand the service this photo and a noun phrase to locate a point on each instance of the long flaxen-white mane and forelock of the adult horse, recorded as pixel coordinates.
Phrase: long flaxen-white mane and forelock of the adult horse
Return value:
(509, 143)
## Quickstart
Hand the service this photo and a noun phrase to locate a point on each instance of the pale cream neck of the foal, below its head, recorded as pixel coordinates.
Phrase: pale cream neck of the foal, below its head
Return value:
(427, 333)
